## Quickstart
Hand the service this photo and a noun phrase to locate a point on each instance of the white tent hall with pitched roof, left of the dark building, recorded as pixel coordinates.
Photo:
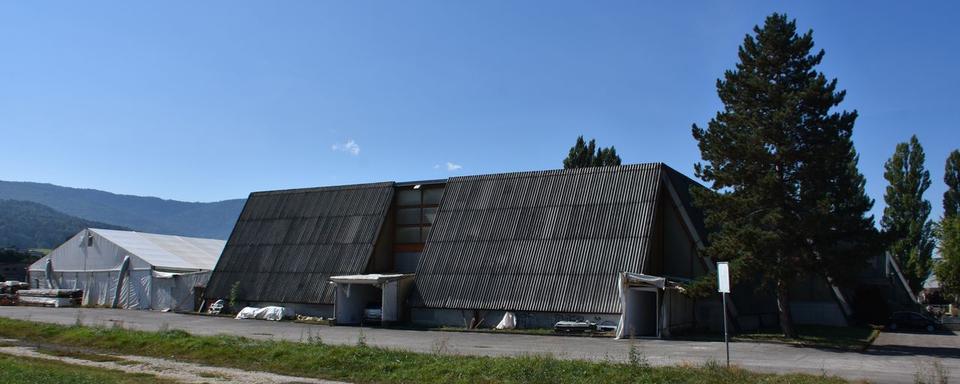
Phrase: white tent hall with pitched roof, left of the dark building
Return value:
(125, 269)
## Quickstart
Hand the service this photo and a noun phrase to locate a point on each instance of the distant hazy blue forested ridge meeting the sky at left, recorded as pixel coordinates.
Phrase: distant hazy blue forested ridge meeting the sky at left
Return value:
(139, 213)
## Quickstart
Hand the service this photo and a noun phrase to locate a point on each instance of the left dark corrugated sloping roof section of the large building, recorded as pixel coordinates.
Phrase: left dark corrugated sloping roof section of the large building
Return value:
(287, 244)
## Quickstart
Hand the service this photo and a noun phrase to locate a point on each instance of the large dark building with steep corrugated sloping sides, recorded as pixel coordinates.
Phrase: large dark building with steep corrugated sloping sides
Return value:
(612, 245)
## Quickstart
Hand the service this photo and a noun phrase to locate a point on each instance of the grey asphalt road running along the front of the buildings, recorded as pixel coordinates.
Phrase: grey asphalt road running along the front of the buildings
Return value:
(895, 358)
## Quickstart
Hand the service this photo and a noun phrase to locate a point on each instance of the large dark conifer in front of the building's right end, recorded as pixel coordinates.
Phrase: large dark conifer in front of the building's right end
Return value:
(785, 194)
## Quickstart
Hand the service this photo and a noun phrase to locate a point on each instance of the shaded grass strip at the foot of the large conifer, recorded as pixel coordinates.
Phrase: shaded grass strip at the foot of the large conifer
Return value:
(843, 338)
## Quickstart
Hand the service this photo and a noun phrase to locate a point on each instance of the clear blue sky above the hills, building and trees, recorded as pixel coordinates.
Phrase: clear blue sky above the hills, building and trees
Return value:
(204, 101)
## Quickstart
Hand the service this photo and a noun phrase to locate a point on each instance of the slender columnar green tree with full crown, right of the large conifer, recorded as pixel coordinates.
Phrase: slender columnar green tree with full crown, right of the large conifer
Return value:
(905, 219)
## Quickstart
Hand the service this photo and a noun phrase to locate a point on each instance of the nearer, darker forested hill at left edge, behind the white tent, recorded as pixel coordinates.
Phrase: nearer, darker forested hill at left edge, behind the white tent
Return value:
(25, 224)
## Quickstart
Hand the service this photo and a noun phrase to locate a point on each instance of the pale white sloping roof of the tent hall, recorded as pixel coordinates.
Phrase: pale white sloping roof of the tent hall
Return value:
(166, 251)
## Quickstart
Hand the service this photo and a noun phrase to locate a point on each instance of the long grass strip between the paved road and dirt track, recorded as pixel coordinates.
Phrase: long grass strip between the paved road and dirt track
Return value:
(364, 364)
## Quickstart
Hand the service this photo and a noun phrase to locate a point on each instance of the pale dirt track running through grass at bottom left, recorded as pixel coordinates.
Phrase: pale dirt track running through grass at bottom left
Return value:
(163, 368)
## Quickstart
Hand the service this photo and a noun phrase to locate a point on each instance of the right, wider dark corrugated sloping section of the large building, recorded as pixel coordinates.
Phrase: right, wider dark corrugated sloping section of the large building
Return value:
(549, 241)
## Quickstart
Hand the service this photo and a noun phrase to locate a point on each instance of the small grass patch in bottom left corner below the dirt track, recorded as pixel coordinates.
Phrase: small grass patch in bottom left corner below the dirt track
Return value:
(21, 370)
